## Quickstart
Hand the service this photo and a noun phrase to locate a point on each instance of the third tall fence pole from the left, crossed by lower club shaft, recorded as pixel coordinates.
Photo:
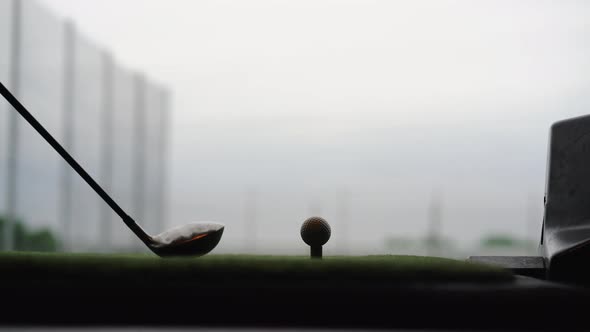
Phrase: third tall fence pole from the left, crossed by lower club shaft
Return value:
(106, 157)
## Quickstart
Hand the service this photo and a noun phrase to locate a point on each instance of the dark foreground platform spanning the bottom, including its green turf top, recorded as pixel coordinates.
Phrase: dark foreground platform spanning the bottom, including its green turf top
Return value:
(275, 291)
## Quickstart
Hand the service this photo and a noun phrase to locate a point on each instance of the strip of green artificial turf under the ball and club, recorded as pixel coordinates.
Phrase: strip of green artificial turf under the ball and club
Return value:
(89, 268)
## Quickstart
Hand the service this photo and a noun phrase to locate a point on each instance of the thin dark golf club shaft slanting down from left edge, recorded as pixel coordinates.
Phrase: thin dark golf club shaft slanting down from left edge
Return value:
(73, 163)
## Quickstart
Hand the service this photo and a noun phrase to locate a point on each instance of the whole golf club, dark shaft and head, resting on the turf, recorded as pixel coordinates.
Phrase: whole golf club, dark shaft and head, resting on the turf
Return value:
(193, 239)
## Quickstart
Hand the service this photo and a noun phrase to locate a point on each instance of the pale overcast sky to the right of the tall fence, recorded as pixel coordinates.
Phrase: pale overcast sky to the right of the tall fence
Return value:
(391, 102)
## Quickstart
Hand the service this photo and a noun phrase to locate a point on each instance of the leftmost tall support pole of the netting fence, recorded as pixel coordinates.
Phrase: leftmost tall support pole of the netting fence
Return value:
(13, 129)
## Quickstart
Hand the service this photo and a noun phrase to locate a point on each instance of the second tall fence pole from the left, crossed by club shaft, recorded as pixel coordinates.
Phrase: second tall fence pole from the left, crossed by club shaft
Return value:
(69, 84)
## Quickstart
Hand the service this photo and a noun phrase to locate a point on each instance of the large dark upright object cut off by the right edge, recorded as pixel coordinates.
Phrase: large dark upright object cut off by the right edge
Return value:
(565, 237)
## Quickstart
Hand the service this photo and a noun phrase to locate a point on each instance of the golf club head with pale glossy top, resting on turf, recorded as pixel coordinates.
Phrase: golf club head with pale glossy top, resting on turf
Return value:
(192, 239)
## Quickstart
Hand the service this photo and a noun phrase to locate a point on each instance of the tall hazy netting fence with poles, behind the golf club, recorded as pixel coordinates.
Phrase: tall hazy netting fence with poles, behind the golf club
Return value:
(111, 119)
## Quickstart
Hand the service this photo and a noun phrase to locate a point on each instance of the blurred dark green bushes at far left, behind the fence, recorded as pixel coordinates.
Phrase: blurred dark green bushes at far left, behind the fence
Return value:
(26, 239)
